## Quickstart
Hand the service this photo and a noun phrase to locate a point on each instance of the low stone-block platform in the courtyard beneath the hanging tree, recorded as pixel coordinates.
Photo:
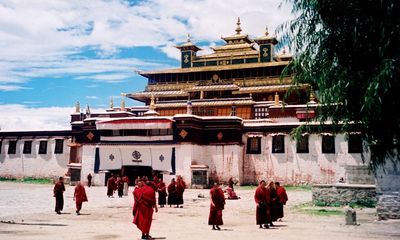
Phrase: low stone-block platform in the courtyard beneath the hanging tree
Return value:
(343, 194)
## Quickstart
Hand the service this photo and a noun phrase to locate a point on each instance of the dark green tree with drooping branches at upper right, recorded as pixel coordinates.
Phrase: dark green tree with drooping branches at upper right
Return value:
(349, 51)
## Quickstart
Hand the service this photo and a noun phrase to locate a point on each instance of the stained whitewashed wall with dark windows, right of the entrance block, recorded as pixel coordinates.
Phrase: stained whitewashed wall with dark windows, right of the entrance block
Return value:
(297, 168)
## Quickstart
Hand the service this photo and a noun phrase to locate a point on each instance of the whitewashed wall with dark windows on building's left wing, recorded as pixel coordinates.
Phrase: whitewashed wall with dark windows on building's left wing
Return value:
(34, 164)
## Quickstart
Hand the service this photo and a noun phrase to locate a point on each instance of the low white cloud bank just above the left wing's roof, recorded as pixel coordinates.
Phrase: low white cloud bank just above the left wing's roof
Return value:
(16, 117)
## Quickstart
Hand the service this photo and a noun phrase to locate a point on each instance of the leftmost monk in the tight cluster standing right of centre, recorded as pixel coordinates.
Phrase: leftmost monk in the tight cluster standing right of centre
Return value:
(262, 200)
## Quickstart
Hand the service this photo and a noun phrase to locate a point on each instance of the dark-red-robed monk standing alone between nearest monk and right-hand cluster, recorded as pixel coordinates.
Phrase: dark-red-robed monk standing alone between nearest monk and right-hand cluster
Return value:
(217, 205)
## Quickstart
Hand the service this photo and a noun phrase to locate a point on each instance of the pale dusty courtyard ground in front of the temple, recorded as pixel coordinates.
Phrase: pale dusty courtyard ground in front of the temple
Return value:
(27, 212)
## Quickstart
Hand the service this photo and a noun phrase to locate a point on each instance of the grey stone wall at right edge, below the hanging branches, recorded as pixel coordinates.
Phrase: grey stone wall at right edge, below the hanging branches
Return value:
(388, 190)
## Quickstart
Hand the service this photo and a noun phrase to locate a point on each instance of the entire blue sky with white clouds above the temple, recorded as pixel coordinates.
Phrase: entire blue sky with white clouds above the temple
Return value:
(54, 53)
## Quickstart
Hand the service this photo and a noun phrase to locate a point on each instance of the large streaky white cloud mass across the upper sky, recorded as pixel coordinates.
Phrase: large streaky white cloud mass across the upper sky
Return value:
(38, 37)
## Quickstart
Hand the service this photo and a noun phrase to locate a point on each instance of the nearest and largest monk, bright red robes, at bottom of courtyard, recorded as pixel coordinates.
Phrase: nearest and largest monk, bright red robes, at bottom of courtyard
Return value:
(145, 201)
